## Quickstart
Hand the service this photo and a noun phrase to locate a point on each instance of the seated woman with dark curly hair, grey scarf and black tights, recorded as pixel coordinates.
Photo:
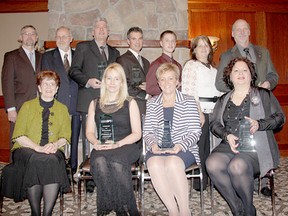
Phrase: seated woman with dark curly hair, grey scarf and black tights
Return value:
(233, 170)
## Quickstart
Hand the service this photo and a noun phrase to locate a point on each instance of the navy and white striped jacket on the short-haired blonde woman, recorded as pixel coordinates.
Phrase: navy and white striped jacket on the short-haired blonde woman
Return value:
(186, 128)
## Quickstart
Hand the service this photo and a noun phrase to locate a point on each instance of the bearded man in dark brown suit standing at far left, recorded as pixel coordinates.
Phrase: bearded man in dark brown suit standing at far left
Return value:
(19, 73)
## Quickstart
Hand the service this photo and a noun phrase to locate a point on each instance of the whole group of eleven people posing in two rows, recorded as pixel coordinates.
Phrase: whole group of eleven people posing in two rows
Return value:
(178, 107)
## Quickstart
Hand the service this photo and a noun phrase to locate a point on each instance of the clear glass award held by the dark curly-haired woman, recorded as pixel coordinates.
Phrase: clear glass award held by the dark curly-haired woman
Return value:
(246, 139)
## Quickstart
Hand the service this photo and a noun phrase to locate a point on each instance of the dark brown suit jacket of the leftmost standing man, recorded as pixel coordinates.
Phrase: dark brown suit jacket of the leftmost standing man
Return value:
(19, 78)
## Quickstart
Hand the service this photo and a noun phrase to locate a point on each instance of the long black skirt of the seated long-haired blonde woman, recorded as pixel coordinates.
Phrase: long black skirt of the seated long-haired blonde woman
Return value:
(114, 187)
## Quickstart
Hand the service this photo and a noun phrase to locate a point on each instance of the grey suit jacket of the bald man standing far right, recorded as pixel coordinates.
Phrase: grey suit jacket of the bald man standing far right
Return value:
(264, 67)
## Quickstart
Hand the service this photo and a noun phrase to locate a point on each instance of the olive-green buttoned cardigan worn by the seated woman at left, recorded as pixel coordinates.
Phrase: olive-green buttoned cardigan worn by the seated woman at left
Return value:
(29, 123)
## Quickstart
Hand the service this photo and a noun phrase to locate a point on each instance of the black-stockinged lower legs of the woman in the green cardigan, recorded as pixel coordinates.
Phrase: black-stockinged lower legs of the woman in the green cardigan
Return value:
(48, 192)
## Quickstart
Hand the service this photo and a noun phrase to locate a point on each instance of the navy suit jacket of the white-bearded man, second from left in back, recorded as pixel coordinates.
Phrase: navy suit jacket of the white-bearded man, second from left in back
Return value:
(68, 90)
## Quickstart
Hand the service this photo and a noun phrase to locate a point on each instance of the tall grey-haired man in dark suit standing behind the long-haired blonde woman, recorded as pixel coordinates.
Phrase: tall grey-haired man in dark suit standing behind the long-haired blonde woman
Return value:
(89, 61)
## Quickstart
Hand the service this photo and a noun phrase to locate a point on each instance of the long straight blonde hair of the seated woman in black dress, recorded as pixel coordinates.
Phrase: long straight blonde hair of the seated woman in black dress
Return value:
(123, 91)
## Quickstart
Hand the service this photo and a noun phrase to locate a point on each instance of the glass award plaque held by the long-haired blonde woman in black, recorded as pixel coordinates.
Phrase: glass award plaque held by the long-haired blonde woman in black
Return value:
(106, 129)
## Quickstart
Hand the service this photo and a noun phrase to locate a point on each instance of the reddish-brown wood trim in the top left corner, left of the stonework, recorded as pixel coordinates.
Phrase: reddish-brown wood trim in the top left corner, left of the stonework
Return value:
(21, 6)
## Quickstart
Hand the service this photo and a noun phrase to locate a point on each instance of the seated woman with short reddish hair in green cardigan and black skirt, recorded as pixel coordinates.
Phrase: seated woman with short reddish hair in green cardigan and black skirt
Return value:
(41, 131)
